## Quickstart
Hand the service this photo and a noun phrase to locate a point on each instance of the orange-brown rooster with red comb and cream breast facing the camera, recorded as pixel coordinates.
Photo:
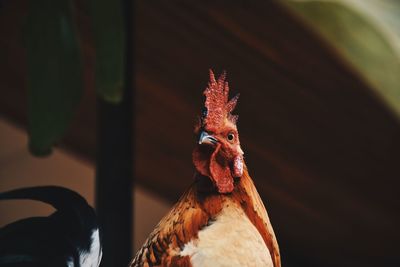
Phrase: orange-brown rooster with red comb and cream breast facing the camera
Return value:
(220, 220)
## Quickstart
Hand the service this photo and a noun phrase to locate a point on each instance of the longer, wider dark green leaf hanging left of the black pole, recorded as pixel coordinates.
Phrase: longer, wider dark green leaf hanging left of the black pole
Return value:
(54, 72)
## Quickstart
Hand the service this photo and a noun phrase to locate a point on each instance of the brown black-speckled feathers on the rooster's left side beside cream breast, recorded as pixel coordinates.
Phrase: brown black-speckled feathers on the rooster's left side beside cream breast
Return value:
(181, 224)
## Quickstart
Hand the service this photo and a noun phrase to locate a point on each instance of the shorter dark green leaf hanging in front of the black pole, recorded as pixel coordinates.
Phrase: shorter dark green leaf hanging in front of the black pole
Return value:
(109, 35)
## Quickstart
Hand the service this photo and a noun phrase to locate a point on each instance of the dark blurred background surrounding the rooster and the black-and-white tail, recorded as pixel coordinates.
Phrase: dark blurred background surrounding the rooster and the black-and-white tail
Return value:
(102, 96)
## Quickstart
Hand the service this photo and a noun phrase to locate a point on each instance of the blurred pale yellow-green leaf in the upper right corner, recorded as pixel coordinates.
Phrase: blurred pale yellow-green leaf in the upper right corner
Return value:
(366, 34)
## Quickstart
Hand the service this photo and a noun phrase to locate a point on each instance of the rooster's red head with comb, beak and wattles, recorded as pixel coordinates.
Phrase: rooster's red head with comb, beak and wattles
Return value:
(218, 154)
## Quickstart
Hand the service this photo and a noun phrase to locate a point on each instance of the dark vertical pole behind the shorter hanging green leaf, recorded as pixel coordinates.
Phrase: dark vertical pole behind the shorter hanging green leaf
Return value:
(114, 172)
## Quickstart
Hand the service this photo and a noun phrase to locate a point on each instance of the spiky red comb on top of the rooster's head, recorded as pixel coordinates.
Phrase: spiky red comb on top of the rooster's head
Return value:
(217, 105)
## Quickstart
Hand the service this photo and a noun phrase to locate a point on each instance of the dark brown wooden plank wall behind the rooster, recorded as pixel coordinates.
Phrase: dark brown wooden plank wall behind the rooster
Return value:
(323, 150)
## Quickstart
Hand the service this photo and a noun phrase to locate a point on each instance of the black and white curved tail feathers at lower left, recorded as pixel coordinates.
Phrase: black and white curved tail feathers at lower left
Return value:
(68, 237)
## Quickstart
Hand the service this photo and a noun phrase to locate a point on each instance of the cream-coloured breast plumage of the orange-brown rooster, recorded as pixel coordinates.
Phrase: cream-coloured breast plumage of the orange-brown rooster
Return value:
(230, 240)
